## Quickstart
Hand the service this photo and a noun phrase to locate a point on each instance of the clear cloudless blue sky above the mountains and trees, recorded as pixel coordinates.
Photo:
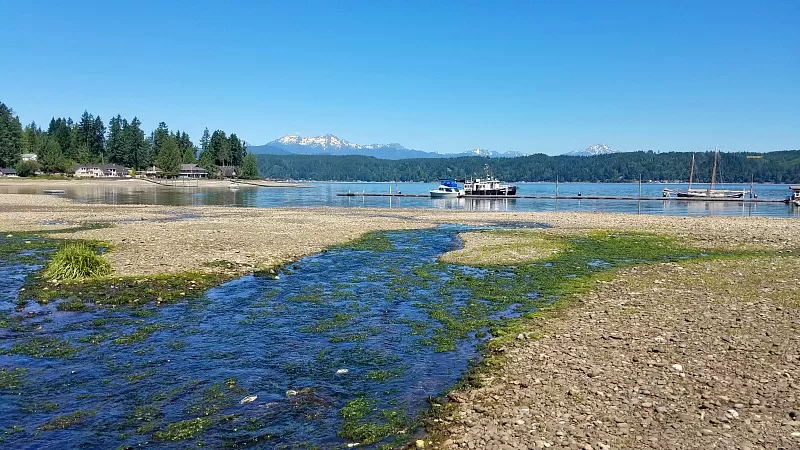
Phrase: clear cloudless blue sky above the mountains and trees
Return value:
(549, 76)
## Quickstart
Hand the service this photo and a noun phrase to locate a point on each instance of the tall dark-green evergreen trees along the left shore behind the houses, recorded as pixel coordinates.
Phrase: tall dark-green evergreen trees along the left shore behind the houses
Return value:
(66, 143)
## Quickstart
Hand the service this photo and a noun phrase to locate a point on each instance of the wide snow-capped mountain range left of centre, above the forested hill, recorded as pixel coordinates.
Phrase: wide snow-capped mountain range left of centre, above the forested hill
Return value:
(333, 145)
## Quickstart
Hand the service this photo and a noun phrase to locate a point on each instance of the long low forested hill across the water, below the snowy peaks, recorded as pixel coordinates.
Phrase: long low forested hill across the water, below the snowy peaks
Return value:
(774, 167)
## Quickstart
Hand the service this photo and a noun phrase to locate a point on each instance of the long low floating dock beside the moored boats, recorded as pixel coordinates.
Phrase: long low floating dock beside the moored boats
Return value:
(577, 197)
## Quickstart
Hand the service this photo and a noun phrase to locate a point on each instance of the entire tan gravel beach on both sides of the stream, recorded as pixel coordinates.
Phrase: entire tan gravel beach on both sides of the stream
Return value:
(691, 355)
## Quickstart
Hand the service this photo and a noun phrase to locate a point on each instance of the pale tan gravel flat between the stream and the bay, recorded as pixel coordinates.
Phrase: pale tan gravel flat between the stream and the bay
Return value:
(168, 239)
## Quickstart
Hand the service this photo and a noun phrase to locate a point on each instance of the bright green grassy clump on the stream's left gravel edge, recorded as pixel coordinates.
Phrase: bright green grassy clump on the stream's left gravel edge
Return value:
(75, 261)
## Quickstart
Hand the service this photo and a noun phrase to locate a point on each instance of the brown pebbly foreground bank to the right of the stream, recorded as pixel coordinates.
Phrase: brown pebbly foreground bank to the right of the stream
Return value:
(697, 355)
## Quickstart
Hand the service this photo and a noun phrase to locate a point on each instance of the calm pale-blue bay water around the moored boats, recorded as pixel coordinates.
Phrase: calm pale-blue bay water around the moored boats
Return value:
(324, 194)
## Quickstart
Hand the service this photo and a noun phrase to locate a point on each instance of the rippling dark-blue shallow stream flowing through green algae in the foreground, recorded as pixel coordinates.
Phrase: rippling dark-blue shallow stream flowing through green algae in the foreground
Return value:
(136, 370)
